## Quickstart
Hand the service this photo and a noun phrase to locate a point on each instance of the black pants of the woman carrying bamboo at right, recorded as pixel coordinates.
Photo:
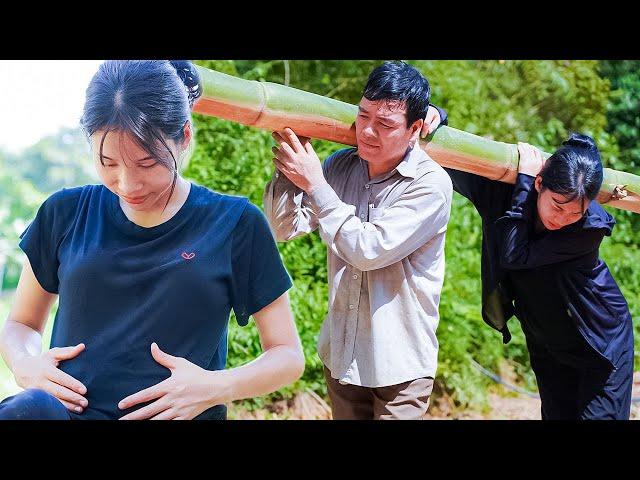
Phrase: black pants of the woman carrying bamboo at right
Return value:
(580, 385)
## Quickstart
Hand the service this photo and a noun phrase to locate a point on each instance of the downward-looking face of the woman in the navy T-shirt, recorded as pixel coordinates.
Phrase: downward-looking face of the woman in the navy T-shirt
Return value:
(130, 172)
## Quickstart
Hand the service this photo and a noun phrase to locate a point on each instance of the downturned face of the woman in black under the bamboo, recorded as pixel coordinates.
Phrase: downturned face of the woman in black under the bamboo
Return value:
(553, 209)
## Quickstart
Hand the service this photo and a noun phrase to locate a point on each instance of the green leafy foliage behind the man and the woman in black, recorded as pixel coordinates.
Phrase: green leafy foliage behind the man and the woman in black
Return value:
(539, 102)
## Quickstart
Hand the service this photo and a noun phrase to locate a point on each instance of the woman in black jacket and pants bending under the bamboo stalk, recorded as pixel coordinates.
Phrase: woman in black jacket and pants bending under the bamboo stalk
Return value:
(540, 262)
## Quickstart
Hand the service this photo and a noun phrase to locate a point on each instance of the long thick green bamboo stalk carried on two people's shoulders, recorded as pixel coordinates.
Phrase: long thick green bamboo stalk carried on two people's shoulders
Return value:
(273, 107)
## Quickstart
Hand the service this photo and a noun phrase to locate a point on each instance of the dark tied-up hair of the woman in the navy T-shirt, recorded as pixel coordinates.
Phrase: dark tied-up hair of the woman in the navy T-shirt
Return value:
(150, 99)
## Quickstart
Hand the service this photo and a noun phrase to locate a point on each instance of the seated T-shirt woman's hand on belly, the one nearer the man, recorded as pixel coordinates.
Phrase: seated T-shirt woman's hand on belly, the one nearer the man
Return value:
(186, 394)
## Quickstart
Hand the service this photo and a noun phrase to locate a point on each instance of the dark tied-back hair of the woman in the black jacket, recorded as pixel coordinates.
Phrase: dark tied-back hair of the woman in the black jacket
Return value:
(575, 169)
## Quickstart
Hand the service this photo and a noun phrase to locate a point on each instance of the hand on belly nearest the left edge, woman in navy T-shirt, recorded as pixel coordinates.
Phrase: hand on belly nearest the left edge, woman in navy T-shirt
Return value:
(41, 371)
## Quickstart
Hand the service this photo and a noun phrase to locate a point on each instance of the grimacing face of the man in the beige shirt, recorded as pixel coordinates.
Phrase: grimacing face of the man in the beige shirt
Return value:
(381, 131)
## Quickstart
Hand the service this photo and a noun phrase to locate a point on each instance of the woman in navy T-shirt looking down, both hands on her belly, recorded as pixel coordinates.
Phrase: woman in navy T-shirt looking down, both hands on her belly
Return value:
(147, 267)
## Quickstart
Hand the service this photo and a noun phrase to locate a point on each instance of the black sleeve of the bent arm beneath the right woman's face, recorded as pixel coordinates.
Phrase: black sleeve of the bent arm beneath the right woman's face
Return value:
(519, 251)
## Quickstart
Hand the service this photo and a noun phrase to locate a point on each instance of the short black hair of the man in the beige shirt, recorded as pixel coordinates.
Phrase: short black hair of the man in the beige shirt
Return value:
(399, 81)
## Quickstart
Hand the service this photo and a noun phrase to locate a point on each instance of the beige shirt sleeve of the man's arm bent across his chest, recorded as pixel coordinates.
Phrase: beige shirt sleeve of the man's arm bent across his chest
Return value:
(390, 235)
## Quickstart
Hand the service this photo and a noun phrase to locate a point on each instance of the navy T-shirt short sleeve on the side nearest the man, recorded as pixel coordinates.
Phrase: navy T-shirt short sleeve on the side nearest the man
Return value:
(258, 274)
